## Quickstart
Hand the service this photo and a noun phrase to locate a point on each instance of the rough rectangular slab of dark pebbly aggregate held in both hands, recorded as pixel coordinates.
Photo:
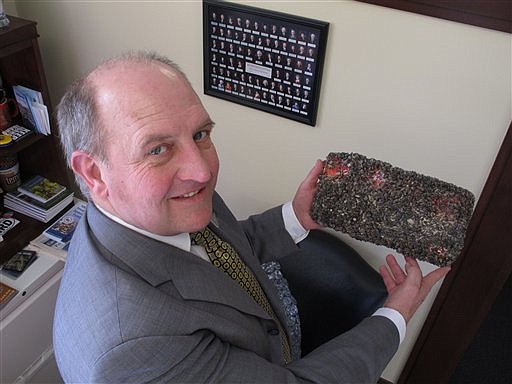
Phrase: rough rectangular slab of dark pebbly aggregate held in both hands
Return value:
(371, 200)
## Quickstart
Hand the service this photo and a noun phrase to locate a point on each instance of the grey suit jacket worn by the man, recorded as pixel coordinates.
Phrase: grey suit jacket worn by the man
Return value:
(131, 309)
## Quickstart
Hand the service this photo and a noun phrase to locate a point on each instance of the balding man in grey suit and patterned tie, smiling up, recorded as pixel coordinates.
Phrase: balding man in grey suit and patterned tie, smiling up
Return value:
(138, 301)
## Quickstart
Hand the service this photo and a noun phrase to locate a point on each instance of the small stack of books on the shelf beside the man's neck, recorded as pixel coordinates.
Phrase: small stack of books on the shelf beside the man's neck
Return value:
(39, 198)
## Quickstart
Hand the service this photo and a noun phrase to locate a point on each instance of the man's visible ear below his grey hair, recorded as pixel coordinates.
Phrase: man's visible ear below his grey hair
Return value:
(88, 168)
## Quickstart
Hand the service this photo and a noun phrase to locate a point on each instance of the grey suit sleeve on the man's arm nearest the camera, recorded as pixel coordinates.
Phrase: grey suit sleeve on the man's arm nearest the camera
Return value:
(358, 356)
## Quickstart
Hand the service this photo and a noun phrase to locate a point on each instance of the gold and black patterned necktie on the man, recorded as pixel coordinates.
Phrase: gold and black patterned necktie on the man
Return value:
(223, 256)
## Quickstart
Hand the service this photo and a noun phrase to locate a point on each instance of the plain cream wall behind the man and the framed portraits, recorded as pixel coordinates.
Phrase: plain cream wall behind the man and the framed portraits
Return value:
(419, 92)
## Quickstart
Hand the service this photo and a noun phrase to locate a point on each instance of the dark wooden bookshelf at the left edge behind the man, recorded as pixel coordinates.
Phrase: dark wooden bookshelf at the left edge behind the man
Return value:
(21, 64)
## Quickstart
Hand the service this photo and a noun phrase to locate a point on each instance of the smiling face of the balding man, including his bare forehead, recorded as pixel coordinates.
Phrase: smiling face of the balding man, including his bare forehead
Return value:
(162, 165)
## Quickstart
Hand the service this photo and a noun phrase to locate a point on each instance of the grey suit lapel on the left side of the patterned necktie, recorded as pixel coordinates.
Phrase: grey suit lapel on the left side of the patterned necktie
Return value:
(159, 263)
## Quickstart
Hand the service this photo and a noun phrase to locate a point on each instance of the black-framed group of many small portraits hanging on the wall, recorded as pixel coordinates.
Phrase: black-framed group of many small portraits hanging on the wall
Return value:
(263, 59)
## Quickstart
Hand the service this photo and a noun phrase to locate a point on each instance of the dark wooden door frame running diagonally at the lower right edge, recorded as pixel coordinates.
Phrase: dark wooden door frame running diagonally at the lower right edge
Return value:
(474, 282)
